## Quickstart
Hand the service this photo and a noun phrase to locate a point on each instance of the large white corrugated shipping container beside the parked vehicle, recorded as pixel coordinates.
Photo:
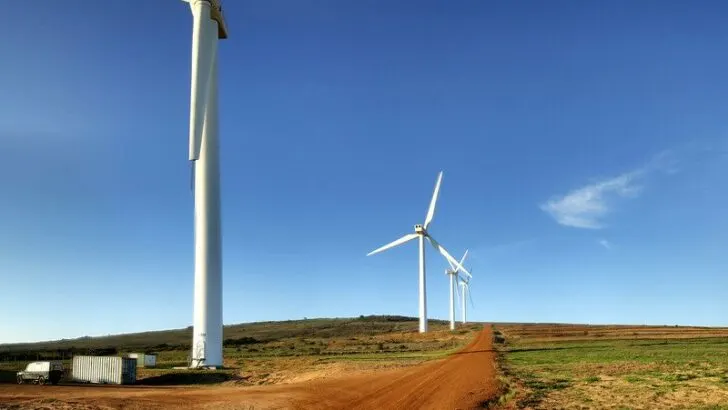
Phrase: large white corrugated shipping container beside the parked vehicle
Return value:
(104, 369)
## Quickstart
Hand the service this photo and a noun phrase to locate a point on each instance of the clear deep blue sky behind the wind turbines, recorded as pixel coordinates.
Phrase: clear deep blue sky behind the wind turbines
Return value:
(584, 146)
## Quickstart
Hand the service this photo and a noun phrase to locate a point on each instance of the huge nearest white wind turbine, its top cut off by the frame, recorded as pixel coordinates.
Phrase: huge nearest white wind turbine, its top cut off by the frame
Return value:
(208, 26)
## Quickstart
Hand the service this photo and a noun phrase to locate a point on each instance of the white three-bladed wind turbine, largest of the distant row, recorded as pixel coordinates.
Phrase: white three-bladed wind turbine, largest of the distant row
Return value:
(421, 233)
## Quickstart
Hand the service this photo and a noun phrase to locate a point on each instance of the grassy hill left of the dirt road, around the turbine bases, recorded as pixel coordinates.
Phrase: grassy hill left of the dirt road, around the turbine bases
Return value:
(264, 352)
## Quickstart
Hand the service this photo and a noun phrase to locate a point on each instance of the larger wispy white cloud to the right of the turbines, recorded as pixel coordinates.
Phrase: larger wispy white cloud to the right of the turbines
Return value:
(587, 206)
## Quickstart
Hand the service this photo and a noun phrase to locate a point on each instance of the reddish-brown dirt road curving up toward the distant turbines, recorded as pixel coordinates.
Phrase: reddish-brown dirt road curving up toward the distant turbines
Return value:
(461, 381)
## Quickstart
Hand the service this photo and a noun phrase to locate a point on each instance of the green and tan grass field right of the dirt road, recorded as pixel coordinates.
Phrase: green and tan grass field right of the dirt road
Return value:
(637, 371)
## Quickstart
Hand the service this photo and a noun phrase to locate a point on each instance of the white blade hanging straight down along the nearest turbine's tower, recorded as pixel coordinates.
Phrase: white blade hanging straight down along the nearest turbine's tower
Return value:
(204, 51)
